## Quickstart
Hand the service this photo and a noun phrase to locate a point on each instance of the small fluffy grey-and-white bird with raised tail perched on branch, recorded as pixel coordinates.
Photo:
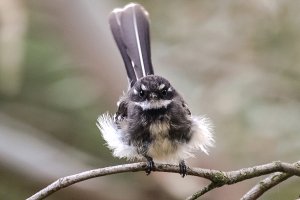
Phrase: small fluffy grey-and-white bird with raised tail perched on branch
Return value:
(152, 121)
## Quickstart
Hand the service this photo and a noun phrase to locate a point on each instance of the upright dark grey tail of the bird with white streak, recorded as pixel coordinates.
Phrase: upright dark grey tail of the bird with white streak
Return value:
(130, 28)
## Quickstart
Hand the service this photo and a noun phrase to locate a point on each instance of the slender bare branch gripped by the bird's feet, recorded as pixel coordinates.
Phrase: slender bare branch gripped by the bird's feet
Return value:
(218, 178)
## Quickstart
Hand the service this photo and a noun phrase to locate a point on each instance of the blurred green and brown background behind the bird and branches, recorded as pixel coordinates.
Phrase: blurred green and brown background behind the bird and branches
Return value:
(236, 62)
